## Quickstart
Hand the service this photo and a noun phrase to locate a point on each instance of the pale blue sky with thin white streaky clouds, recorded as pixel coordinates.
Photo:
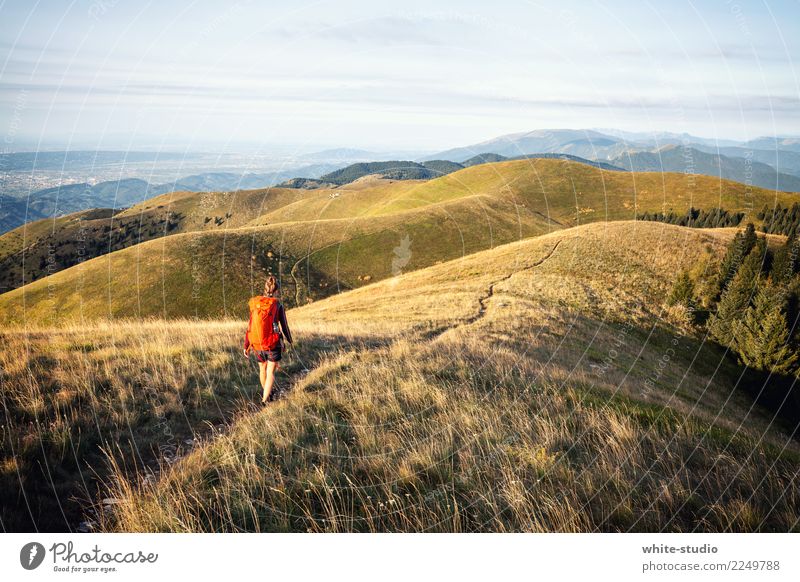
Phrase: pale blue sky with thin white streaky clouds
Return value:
(389, 76)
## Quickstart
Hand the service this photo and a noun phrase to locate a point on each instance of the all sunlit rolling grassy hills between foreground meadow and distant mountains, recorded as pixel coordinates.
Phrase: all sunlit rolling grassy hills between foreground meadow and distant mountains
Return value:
(327, 240)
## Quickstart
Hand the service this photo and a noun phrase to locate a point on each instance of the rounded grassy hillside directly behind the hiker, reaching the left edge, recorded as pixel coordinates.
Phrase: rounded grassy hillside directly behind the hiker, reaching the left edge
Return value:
(212, 274)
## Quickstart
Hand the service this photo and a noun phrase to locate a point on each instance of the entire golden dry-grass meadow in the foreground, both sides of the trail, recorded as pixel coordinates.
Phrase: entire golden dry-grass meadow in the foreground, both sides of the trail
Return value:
(543, 385)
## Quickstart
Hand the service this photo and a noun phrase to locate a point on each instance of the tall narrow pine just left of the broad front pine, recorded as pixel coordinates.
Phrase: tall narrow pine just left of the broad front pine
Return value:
(737, 296)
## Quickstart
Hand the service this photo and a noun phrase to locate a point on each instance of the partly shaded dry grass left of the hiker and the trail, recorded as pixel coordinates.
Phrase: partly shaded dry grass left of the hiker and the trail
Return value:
(138, 391)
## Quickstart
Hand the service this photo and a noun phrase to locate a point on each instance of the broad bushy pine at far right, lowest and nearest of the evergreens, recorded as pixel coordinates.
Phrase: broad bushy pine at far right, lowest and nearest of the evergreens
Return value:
(761, 338)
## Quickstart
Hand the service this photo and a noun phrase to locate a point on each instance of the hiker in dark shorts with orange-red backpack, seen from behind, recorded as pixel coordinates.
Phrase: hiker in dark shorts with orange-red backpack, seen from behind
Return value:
(264, 337)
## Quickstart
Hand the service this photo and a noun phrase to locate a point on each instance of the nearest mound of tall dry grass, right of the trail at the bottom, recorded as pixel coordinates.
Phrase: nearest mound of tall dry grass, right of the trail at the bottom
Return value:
(456, 443)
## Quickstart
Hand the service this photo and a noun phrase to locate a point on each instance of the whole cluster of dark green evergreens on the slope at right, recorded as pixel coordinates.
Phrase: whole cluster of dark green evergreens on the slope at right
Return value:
(753, 303)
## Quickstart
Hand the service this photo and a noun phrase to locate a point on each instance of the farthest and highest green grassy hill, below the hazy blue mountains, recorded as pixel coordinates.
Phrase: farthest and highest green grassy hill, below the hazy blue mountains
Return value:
(566, 191)
